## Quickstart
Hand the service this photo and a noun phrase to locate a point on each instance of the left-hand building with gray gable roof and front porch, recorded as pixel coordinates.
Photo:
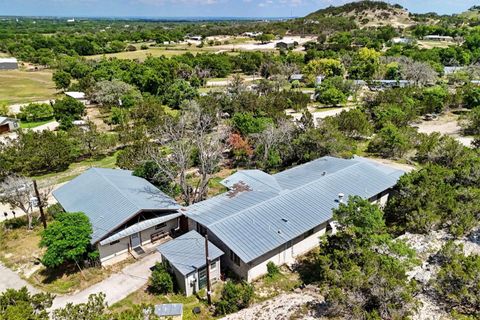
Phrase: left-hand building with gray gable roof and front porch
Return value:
(128, 214)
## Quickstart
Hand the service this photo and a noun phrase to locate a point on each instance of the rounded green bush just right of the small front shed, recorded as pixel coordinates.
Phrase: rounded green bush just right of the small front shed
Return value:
(234, 297)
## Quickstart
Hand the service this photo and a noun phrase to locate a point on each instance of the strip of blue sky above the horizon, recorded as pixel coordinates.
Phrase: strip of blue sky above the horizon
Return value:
(202, 8)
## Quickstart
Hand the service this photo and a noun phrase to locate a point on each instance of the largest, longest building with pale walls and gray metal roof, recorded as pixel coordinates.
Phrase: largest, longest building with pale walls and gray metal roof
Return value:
(278, 217)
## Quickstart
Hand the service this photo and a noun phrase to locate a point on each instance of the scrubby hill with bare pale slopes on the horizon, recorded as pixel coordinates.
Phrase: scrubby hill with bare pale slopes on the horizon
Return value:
(368, 14)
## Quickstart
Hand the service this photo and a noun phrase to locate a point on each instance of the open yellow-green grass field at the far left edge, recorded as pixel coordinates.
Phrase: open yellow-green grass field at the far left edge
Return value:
(23, 87)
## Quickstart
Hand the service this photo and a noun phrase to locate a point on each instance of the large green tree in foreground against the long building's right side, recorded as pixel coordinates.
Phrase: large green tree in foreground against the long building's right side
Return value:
(359, 279)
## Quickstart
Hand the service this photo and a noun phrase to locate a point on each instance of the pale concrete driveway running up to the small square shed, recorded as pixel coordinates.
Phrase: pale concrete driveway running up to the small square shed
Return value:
(117, 286)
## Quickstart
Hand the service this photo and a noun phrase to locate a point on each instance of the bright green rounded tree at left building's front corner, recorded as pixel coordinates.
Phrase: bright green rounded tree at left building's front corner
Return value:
(67, 239)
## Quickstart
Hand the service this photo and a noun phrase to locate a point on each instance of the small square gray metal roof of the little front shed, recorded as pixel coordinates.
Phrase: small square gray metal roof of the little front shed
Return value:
(187, 252)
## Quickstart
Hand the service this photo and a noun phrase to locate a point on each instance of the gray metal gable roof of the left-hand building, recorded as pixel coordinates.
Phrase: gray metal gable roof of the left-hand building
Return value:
(111, 197)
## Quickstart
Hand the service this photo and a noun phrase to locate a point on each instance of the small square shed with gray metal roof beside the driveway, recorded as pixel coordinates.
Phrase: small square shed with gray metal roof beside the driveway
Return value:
(185, 257)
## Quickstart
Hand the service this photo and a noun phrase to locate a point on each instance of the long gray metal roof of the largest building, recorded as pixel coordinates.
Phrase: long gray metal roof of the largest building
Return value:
(309, 194)
